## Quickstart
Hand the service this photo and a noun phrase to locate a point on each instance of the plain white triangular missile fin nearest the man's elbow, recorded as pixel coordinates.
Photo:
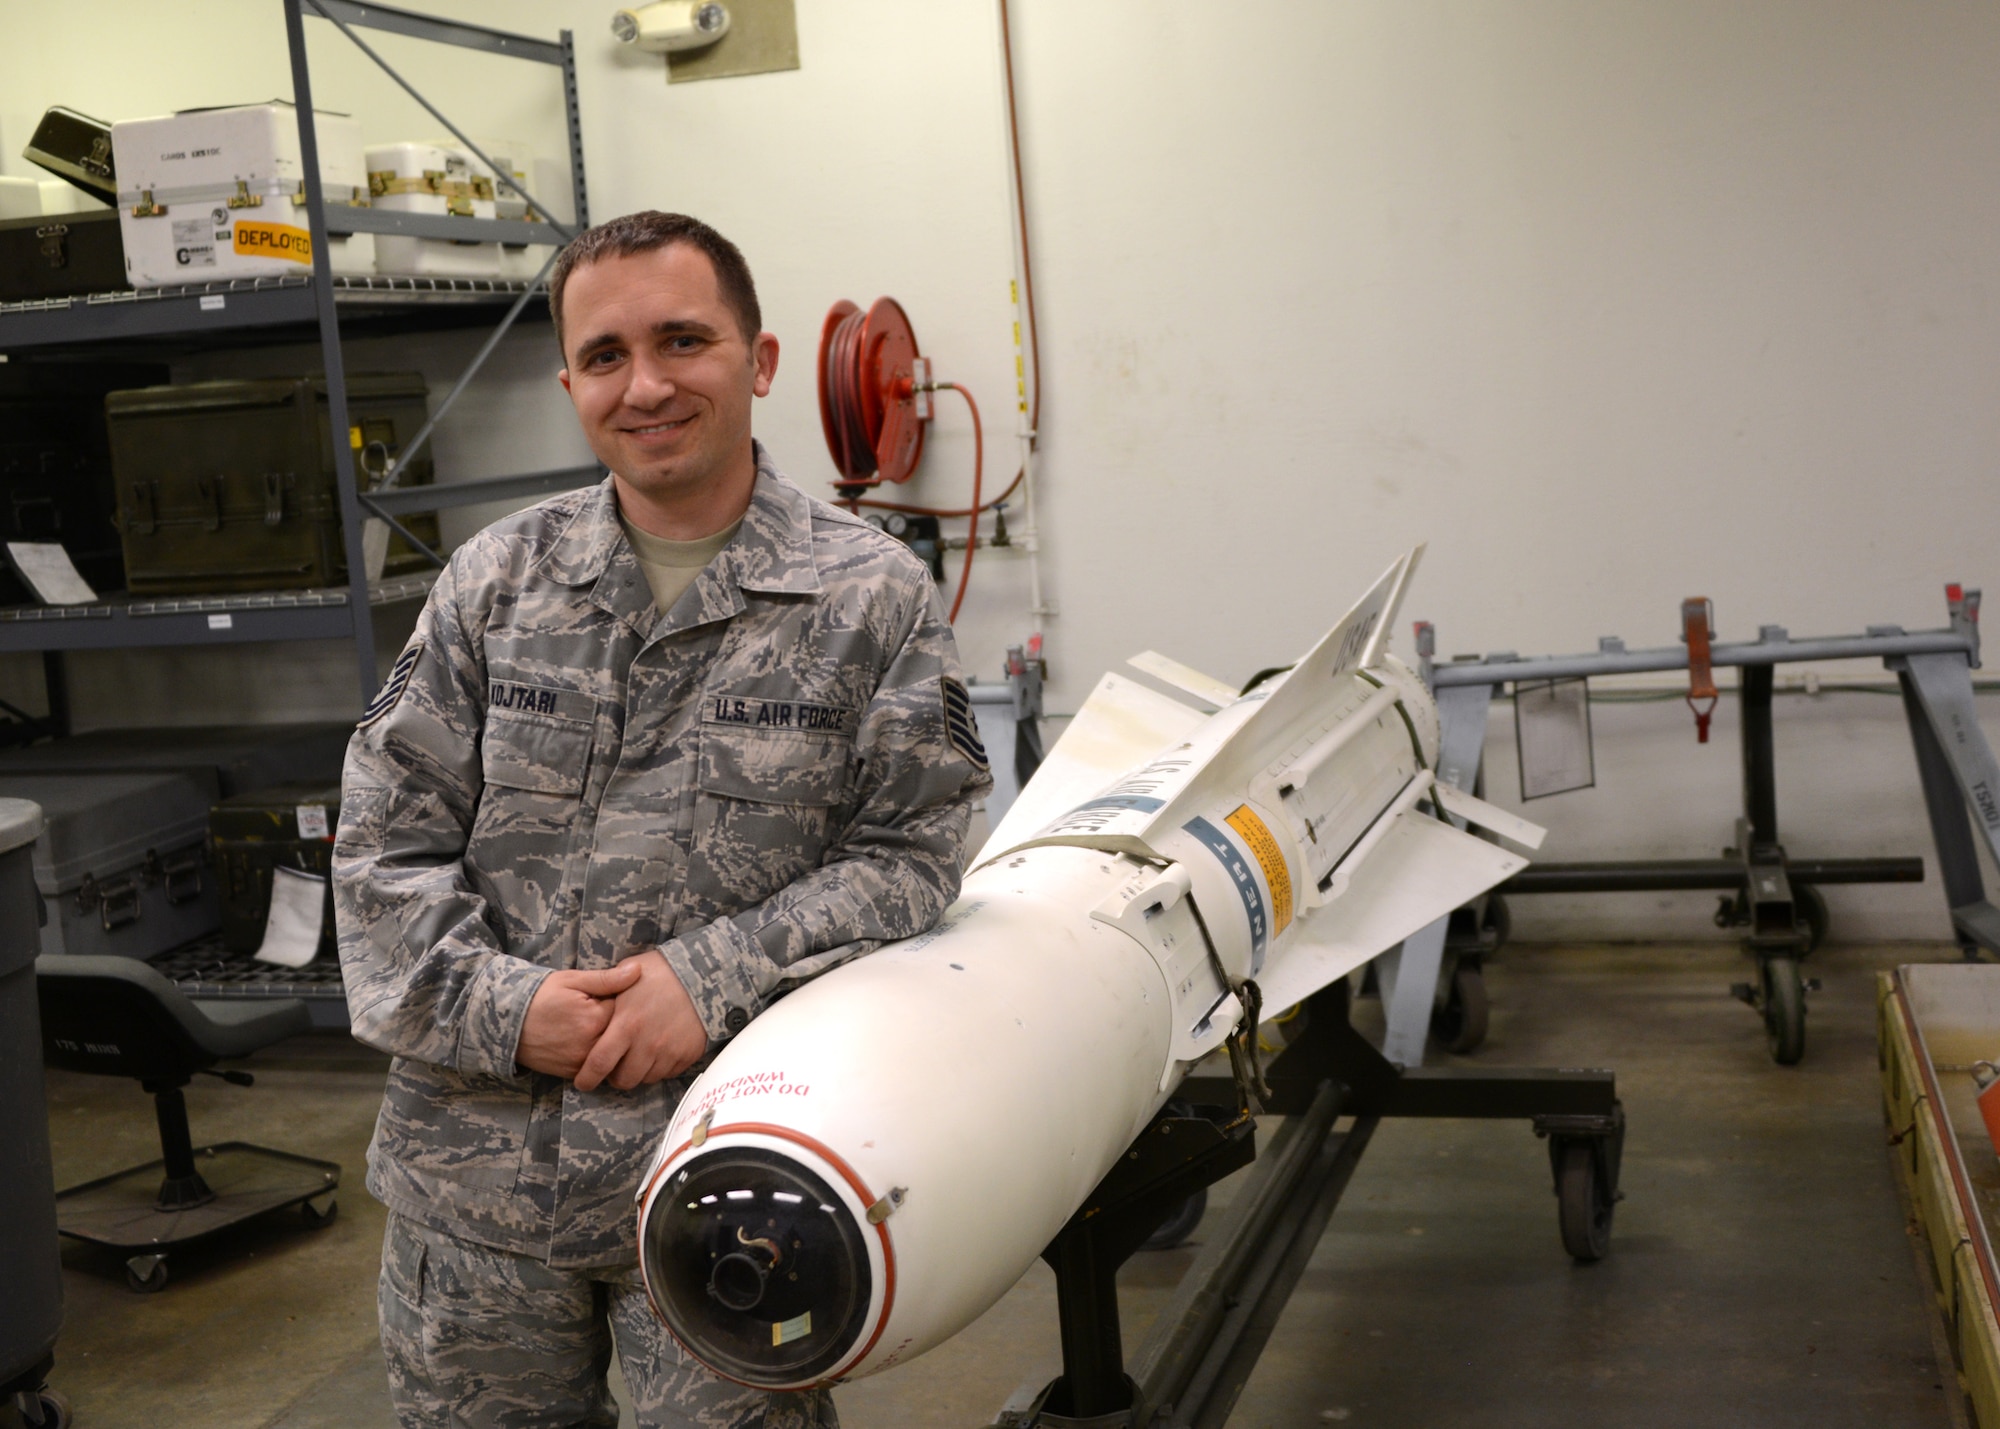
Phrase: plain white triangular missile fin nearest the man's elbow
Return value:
(1121, 726)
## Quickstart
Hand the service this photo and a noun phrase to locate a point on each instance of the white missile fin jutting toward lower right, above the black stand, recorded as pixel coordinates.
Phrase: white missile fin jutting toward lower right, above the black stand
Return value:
(1421, 872)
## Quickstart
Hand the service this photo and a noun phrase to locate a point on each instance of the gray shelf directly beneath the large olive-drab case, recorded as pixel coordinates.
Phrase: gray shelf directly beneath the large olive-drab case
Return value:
(221, 619)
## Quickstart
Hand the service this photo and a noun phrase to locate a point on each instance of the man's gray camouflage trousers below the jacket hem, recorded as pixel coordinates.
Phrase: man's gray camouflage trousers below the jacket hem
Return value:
(489, 1340)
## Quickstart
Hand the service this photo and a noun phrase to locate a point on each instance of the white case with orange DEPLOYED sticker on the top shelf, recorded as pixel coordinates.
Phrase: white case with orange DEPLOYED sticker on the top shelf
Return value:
(211, 195)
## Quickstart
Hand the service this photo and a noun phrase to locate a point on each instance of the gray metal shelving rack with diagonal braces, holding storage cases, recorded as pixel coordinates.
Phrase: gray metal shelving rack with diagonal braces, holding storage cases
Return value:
(299, 309)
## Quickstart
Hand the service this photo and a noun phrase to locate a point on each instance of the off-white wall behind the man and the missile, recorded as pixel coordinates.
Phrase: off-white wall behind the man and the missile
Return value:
(1609, 303)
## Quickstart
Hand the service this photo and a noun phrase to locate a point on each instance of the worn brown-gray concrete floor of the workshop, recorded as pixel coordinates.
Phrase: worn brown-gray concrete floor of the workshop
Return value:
(1761, 1270)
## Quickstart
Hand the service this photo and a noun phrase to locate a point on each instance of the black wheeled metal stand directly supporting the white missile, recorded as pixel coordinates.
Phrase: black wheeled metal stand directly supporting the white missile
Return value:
(1201, 1352)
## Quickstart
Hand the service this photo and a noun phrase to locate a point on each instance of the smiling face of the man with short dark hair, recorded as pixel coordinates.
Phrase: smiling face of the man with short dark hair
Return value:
(663, 379)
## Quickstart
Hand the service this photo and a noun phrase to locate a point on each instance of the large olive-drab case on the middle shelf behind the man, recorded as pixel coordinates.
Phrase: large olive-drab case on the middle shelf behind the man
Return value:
(231, 485)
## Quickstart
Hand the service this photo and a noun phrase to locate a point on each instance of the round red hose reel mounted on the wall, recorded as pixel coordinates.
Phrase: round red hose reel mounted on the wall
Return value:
(873, 395)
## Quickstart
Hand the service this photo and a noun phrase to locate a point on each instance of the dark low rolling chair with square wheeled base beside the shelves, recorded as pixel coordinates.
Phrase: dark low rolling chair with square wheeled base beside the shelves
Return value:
(119, 1018)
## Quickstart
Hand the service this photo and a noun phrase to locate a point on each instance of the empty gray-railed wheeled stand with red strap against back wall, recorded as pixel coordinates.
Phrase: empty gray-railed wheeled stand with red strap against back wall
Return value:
(1769, 894)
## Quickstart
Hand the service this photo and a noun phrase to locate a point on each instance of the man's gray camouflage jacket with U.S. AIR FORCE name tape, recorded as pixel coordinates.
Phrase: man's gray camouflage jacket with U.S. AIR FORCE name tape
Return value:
(765, 782)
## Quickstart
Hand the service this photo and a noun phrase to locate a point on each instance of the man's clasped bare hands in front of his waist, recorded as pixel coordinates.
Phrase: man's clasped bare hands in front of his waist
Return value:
(629, 1026)
